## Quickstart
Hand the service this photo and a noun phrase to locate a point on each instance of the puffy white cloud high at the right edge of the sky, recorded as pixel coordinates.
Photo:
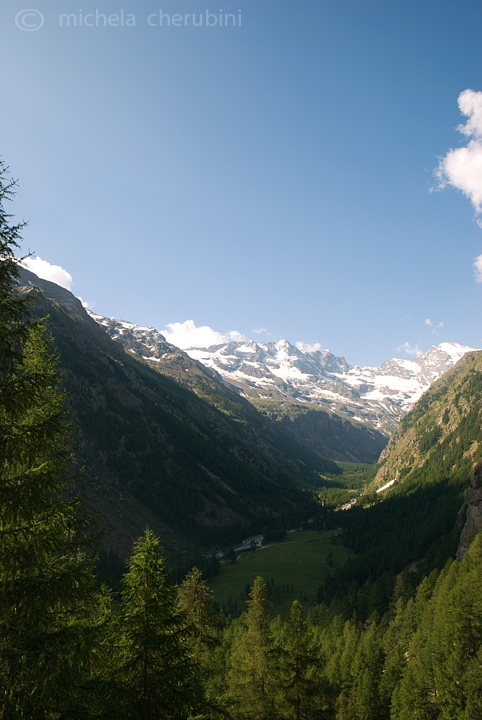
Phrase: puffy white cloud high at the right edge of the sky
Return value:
(462, 168)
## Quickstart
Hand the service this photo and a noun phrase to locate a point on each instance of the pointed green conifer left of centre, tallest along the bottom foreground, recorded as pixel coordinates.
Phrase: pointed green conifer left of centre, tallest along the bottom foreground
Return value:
(155, 678)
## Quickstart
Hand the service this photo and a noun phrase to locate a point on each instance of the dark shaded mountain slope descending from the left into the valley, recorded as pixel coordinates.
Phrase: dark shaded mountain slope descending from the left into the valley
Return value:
(193, 460)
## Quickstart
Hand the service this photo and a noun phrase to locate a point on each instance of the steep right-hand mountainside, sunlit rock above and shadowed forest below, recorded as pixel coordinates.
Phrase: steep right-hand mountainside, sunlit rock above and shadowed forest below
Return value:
(423, 506)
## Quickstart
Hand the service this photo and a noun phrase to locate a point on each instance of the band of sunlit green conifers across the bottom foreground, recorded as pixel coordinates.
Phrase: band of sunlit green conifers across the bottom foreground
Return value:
(159, 653)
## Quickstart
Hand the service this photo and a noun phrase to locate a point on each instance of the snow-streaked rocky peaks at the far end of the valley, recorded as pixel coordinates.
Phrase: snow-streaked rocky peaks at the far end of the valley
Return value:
(379, 396)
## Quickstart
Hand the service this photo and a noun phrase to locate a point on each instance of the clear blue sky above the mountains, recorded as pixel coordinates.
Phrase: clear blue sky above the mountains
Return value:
(276, 175)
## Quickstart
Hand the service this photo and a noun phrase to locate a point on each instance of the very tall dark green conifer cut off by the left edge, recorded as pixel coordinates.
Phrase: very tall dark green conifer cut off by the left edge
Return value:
(47, 594)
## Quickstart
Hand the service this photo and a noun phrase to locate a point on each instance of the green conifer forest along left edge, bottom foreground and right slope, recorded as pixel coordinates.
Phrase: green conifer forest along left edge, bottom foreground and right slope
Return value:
(396, 633)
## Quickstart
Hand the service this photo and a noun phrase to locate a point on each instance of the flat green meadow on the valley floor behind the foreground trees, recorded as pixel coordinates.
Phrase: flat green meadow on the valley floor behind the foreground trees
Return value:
(293, 570)
